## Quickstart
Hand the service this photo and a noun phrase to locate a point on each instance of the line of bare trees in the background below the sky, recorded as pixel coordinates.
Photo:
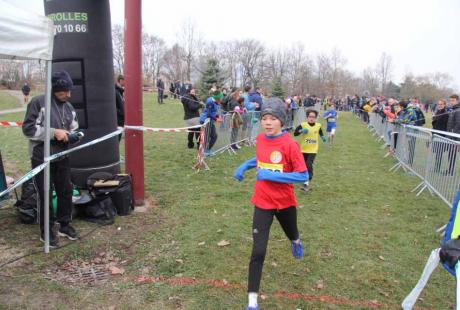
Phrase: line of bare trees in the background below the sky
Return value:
(250, 62)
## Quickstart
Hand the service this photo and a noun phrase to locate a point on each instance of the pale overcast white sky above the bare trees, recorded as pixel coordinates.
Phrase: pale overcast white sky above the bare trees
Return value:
(422, 36)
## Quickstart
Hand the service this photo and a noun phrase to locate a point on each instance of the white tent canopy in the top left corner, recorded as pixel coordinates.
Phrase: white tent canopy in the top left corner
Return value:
(24, 35)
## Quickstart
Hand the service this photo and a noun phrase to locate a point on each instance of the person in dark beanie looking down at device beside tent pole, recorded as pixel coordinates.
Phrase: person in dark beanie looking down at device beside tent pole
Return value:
(63, 133)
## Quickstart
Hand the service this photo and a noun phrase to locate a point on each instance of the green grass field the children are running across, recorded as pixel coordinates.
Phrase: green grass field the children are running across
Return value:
(366, 236)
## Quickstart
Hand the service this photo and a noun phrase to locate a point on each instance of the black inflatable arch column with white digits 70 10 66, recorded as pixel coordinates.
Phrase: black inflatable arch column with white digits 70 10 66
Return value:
(83, 47)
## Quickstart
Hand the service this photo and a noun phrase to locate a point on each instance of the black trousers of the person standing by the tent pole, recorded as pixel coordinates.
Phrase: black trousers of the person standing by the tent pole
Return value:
(60, 180)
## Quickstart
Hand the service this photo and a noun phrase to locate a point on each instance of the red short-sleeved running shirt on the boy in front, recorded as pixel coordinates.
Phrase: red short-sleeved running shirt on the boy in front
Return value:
(278, 154)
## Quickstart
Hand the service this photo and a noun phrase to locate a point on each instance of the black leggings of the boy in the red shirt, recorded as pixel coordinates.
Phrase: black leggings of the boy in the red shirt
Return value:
(261, 223)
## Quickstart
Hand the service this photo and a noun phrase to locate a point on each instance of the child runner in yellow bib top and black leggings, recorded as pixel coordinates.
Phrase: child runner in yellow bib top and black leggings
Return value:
(310, 132)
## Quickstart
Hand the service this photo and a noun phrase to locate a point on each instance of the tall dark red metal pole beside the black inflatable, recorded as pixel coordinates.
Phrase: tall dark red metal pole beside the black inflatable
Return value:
(134, 140)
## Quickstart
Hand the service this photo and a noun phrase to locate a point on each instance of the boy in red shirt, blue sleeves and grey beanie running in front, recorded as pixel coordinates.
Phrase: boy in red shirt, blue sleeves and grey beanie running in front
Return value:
(279, 163)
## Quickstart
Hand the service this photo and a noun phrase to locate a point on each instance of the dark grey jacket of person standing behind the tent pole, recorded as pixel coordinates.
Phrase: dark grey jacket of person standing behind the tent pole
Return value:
(63, 116)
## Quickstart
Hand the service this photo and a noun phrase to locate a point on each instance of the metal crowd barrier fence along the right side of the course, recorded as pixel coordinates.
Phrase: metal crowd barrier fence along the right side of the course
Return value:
(429, 154)
